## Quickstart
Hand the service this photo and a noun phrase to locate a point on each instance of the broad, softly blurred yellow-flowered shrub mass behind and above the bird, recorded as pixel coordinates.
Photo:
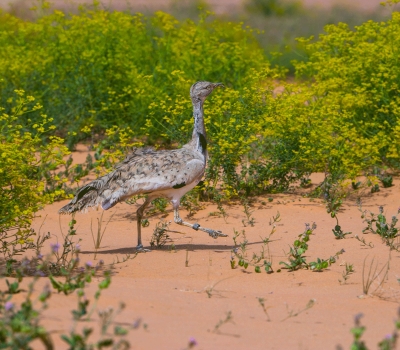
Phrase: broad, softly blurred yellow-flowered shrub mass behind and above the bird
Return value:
(104, 69)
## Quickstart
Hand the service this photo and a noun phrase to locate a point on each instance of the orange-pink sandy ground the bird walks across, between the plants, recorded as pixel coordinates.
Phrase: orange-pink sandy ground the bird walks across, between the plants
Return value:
(172, 300)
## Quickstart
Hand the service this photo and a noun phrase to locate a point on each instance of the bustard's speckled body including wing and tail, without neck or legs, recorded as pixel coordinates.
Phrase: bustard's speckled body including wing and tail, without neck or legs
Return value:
(143, 171)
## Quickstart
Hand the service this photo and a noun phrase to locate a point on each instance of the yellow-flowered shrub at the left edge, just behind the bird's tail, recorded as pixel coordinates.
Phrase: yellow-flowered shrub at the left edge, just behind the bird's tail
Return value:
(27, 177)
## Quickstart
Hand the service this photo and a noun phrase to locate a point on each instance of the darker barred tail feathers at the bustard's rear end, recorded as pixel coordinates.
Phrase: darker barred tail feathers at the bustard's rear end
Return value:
(88, 196)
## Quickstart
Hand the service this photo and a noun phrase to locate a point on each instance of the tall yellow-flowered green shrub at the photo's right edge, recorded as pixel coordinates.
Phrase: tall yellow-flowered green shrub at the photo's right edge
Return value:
(358, 72)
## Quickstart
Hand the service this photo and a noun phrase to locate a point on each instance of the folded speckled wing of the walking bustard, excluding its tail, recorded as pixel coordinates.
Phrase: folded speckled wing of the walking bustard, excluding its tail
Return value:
(151, 171)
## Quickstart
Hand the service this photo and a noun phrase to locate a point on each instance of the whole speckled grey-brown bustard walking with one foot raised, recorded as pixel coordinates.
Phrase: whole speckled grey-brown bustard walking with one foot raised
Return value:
(165, 173)
